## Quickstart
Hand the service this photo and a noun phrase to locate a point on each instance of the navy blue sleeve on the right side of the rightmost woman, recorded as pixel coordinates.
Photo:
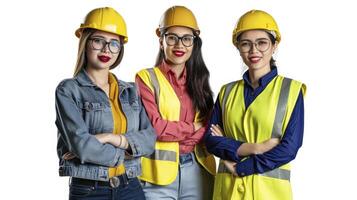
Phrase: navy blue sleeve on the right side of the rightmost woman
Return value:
(284, 152)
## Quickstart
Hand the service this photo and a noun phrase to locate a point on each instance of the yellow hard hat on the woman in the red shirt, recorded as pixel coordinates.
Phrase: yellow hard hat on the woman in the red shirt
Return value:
(178, 16)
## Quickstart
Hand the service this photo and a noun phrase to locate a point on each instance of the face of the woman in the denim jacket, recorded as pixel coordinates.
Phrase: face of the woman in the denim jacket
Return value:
(102, 50)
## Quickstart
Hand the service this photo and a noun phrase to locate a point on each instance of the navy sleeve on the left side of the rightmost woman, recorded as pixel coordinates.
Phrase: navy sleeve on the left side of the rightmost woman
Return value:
(222, 147)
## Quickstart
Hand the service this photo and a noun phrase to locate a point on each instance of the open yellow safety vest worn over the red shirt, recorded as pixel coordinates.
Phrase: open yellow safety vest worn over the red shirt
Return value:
(161, 167)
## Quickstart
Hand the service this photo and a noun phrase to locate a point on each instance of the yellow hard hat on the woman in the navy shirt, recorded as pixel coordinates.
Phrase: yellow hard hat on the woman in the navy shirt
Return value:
(256, 19)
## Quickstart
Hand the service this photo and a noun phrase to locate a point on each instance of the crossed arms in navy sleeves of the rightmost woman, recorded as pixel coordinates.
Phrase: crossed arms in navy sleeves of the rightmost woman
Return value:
(259, 157)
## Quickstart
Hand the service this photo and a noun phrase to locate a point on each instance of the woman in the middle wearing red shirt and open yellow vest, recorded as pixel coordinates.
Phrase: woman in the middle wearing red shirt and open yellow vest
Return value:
(178, 99)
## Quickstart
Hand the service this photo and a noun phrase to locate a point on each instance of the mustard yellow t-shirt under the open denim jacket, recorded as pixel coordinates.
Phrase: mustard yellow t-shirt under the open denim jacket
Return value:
(119, 120)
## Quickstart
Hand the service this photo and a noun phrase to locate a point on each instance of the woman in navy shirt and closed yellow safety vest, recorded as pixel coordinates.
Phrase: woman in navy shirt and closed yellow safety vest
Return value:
(257, 122)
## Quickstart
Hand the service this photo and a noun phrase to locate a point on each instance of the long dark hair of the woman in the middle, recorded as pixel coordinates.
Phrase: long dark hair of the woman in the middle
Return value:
(197, 79)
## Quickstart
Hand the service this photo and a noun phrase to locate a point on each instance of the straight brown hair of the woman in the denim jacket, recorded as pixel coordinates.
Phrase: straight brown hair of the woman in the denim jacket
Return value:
(81, 56)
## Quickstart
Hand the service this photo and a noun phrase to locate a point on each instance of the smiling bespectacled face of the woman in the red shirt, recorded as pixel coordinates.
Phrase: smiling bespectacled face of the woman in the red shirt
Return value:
(177, 44)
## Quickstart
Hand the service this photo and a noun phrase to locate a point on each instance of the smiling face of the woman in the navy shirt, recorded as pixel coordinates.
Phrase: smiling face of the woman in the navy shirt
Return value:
(256, 49)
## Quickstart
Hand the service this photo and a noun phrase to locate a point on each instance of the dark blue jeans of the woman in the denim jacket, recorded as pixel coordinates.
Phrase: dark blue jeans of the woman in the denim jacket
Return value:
(129, 191)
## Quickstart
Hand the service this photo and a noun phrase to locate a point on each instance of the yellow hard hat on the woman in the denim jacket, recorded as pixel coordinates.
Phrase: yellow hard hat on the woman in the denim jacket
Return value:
(104, 19)
